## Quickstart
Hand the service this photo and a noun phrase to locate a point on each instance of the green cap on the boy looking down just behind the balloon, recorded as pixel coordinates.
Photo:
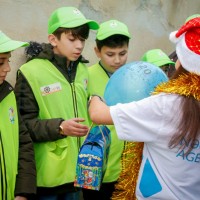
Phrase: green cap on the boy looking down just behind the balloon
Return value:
(112, 27)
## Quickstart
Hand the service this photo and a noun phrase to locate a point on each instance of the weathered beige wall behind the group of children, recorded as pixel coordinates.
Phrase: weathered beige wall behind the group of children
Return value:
(149, 21)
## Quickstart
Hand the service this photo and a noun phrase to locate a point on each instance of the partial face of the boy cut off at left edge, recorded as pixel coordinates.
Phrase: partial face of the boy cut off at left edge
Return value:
(4, 66)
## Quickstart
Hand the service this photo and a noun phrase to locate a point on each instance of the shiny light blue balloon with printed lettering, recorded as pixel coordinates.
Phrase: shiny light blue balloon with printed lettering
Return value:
(132, 82)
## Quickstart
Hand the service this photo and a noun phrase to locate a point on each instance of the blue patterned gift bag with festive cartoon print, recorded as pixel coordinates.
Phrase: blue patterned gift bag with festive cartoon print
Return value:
(92, 158)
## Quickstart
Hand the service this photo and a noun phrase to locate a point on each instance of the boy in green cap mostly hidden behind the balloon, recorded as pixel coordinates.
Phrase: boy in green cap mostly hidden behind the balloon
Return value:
(160, 59)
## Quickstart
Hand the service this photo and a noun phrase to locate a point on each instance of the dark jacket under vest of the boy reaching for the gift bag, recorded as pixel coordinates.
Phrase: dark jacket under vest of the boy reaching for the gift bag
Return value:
(45, 129)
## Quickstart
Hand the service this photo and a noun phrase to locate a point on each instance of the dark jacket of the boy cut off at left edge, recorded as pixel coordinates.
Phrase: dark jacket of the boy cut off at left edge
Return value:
(26, 178)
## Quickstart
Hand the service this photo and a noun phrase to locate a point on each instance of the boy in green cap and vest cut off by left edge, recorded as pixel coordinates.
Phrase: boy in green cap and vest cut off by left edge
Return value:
(17, 164)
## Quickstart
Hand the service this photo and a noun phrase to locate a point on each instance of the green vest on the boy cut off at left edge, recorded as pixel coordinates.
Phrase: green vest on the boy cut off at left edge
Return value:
(9, 145)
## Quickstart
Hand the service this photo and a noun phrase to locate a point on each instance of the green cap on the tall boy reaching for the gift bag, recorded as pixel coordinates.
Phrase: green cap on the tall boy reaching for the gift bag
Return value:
(69, 17)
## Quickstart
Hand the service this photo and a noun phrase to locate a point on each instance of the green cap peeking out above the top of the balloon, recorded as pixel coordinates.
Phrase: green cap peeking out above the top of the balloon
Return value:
(157, 57)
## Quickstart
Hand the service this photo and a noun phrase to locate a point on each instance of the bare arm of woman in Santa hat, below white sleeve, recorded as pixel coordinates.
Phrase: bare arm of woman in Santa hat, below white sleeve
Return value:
(99, 112)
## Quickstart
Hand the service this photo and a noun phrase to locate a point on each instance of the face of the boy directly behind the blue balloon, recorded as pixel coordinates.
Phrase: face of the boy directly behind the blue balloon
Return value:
(112, 58)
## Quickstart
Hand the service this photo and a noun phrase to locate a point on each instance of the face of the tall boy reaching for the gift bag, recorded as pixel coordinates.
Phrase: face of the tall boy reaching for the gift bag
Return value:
(68, 46)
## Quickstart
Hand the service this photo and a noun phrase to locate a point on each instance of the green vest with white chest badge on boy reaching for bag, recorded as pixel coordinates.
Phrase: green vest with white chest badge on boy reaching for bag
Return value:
(57, 98)
